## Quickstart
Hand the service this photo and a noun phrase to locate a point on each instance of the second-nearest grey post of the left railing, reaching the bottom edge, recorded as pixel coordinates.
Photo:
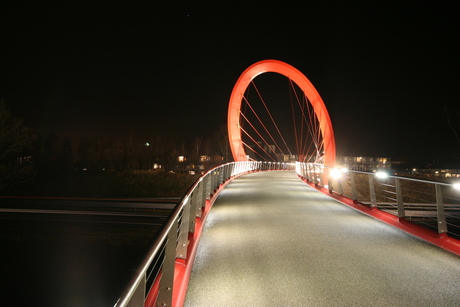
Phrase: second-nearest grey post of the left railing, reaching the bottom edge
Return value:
(167, 277)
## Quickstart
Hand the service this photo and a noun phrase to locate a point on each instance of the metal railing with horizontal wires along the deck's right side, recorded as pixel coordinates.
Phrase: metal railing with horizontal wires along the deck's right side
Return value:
(430, 203)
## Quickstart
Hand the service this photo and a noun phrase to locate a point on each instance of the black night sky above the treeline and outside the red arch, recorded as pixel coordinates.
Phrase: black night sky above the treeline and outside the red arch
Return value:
(387, 71)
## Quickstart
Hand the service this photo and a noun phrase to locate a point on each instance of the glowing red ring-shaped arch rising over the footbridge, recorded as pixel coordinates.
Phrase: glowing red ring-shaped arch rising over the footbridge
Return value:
(234, 132)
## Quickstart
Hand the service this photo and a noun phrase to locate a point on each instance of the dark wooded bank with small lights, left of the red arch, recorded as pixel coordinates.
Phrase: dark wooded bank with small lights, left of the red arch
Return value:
(97, 165)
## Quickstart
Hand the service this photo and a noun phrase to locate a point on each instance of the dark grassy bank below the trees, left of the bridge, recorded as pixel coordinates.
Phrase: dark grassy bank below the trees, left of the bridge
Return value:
(104, 184)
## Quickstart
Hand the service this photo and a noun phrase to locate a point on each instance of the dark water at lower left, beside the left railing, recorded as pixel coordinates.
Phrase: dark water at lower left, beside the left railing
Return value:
(50, 262)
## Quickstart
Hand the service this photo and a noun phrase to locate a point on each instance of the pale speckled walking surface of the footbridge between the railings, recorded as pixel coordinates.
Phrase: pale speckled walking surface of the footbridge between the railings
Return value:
(271, 240)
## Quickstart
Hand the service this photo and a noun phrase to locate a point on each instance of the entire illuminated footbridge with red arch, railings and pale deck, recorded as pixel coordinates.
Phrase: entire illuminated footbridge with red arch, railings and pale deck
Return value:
(302, 234)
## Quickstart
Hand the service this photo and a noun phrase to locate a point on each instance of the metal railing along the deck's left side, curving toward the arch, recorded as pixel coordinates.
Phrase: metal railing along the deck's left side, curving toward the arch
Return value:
(156, 272)
